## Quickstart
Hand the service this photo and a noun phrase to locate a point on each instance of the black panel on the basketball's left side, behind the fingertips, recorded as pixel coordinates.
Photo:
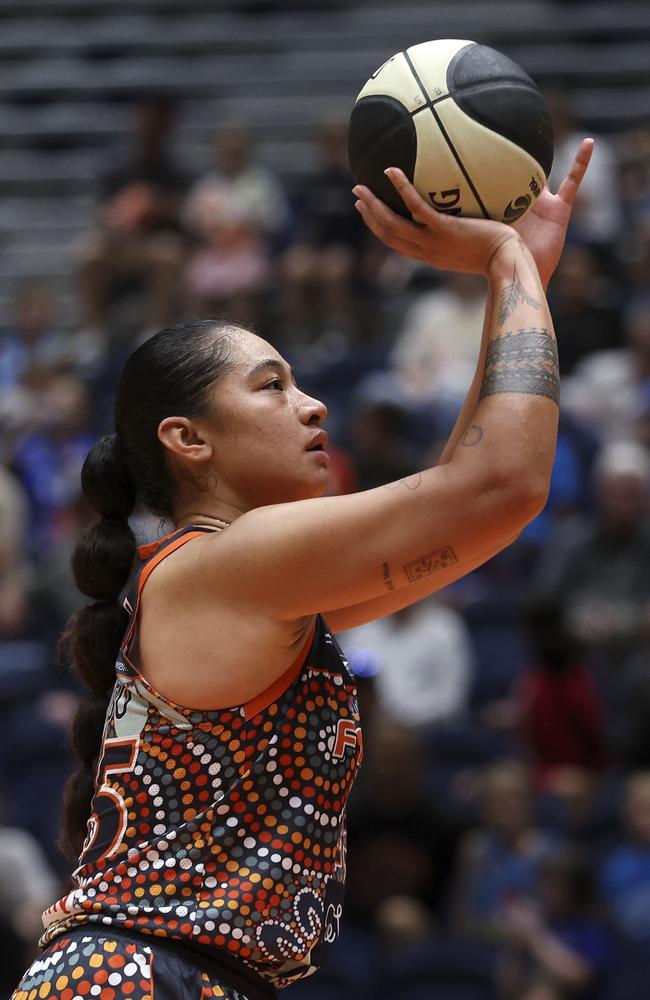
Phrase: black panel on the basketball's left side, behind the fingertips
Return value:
(382, 134)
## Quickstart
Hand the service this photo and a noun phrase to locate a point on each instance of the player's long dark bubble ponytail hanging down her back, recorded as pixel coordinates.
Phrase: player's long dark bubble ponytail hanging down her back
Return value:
(101, 563)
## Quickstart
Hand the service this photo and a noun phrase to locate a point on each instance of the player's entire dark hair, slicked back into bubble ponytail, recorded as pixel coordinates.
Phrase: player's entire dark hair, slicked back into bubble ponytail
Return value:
(169, 374)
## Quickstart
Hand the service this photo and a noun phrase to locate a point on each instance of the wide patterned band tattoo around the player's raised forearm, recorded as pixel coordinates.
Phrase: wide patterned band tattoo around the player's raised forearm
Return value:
(523, 362)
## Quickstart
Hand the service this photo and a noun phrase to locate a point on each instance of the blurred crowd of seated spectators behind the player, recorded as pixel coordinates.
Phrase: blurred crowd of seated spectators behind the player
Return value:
(499, 833)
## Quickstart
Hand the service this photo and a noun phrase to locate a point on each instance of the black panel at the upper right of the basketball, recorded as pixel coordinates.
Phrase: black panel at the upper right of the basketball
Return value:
(496, 92)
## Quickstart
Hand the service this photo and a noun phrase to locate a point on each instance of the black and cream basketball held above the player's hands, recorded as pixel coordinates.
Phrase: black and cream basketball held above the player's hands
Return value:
(465, 123)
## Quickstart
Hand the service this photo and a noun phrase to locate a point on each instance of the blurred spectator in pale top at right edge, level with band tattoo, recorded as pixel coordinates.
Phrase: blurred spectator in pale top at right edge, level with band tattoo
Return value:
(608, 389)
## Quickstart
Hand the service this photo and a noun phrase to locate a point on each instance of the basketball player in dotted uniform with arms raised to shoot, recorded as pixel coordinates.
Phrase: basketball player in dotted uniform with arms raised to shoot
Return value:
(223, 735)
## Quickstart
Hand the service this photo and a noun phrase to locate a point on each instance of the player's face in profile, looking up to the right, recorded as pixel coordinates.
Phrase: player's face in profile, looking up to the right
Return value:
(269, 446)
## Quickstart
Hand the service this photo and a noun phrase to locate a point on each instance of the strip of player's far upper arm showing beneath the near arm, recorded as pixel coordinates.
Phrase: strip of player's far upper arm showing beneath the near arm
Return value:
(369, 611)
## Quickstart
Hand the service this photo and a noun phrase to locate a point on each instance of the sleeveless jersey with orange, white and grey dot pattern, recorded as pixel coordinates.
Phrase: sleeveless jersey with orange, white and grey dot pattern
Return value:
(223, 828)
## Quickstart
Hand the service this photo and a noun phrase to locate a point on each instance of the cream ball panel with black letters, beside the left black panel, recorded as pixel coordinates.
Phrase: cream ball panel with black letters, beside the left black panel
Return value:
(438, 176)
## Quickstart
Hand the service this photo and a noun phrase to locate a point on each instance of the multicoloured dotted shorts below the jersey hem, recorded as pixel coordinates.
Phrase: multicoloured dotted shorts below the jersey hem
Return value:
(89, 966)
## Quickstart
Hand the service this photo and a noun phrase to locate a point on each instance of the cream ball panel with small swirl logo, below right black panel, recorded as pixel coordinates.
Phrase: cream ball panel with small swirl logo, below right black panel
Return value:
(507, 178)
